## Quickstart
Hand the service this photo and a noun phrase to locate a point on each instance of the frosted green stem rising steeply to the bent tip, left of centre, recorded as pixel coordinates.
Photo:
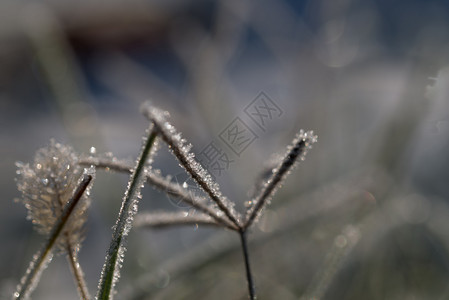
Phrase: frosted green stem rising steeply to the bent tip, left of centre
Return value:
(114, 257)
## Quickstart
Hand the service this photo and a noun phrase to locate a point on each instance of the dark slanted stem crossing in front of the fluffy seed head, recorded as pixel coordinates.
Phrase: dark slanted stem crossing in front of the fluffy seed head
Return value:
(28, 282)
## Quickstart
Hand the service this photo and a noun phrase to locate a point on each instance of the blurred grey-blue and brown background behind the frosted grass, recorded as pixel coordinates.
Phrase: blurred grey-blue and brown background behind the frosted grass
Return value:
(365, 216)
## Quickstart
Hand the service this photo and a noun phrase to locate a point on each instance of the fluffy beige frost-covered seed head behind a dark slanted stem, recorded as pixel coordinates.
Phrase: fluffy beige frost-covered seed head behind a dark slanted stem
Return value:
(47, 186)
